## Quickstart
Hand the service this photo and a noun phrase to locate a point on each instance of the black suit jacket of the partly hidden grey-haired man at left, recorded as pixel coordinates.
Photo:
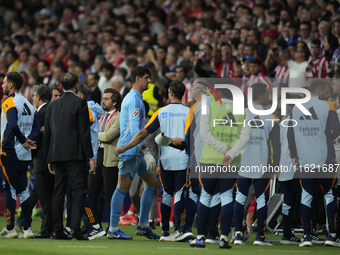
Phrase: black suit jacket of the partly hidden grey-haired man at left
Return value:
(39, 160)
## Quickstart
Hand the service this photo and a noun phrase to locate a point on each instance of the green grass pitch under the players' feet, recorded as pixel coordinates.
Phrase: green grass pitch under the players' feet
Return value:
(141, 245)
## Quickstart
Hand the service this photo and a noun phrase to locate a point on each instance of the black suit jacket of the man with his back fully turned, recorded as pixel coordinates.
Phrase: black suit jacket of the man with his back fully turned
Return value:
(67, 130)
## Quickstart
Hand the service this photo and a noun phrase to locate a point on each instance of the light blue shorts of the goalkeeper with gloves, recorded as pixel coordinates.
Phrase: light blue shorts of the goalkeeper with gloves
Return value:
(133, 166)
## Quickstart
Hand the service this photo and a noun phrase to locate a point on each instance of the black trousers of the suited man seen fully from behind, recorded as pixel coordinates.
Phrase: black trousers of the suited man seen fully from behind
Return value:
(75, 172)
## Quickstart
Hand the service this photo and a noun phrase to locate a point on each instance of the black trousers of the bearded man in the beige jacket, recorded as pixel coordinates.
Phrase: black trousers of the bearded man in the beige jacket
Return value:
(107, 176)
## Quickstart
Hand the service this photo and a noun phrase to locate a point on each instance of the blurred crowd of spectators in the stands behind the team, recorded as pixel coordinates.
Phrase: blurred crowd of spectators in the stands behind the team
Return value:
(102, 41)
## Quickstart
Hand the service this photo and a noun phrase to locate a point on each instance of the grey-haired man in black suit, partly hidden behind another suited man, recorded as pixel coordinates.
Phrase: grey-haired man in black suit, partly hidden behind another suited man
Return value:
(44, 186)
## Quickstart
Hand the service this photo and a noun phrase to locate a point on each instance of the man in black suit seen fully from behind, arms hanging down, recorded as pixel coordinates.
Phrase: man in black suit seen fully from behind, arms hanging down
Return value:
(67, 147)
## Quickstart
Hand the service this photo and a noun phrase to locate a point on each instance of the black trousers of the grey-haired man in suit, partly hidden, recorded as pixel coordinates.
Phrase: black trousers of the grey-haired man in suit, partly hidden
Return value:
(45, 188)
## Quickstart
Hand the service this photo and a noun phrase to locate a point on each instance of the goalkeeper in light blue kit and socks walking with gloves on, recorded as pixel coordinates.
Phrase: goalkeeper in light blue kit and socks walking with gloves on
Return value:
(136, 160)
